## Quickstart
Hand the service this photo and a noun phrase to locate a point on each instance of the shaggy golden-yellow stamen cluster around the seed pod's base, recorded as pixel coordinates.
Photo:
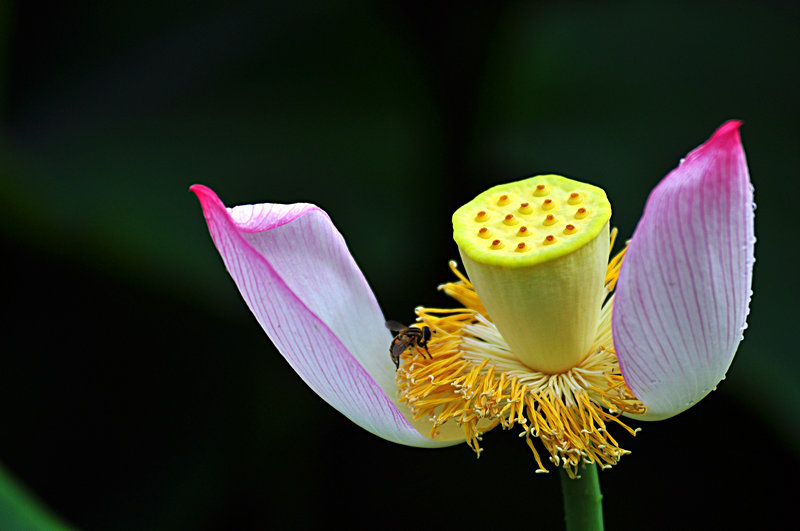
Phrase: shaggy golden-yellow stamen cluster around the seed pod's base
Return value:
(472, 376)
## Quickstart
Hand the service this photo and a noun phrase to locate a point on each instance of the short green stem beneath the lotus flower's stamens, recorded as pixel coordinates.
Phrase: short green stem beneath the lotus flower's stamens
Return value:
(583, 508)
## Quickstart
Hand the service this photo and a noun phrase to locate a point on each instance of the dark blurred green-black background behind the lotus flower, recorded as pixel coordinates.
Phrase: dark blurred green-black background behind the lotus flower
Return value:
(137, 391)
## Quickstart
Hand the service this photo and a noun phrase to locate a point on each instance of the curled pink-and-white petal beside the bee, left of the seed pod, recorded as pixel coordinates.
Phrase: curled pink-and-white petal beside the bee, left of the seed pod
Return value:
(294, 271)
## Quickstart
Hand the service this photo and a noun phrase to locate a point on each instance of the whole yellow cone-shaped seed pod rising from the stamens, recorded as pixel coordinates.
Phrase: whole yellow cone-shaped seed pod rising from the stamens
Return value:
(546, 300)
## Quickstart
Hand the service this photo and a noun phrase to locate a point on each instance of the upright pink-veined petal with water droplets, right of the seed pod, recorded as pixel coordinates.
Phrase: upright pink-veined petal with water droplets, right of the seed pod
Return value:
(684, 288)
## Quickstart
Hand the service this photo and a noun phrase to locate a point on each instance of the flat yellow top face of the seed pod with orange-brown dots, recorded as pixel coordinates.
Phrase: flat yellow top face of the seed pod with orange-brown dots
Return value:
(545, 205)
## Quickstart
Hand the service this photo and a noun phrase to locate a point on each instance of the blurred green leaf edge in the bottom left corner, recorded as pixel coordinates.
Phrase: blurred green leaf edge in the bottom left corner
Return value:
(19, 509)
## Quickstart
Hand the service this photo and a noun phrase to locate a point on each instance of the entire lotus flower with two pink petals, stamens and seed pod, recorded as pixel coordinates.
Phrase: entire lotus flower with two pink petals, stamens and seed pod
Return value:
(540, 340)
